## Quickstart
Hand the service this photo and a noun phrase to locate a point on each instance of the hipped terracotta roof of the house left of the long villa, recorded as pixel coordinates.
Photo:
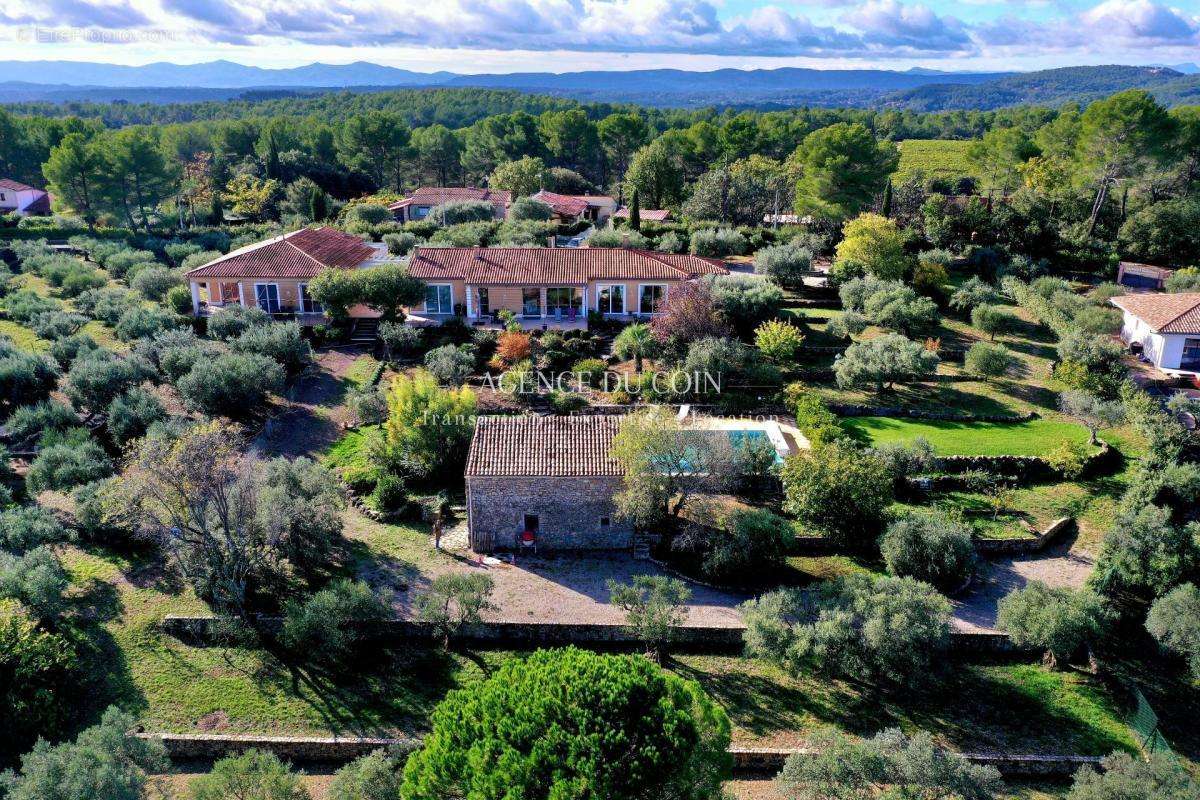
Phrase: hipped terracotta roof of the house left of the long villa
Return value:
(301, 255)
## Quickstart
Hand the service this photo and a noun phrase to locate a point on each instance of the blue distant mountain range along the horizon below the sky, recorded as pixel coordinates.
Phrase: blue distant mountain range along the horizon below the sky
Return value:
(916, 89)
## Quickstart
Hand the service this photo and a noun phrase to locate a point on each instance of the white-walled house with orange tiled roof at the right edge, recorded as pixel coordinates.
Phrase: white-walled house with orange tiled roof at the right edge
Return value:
(1167, 327)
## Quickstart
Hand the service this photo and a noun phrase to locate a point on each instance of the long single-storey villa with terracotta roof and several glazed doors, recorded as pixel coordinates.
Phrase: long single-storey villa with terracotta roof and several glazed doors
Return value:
(561, 285)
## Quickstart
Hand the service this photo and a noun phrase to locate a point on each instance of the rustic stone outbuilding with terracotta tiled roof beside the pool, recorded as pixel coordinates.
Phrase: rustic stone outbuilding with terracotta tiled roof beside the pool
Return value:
(549, 480)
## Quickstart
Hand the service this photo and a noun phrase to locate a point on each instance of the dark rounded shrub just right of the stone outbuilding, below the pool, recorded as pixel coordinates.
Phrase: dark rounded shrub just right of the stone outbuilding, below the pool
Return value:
(752, 544)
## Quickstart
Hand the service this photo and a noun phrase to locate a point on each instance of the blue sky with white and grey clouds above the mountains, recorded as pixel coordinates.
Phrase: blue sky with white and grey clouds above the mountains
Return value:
(568, 35)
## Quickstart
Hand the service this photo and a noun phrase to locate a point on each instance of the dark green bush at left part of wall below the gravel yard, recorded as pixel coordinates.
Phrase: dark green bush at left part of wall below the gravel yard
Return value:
(334, 625)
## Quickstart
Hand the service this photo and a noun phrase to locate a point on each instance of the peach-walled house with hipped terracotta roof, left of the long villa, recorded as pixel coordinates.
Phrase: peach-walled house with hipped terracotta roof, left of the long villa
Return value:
(274, 275)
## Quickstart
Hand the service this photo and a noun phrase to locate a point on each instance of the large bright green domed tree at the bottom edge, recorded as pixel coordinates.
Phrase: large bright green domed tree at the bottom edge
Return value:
(569, 701)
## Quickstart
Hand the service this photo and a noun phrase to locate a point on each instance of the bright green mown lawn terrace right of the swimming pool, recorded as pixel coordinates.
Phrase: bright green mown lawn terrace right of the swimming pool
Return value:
(1033, 438)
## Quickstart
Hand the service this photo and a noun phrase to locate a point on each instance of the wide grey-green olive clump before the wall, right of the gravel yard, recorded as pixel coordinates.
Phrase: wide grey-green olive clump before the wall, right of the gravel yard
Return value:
(889, 631)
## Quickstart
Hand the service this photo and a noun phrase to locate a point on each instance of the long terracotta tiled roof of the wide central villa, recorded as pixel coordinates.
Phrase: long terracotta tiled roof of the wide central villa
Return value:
(560, 266)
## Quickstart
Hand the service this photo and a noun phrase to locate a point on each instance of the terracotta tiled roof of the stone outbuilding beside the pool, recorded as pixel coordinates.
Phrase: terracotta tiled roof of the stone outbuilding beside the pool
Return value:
(544, 447)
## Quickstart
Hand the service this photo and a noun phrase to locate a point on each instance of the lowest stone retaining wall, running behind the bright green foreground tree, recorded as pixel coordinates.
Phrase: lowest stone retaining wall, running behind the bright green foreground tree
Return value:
(338, 750)
